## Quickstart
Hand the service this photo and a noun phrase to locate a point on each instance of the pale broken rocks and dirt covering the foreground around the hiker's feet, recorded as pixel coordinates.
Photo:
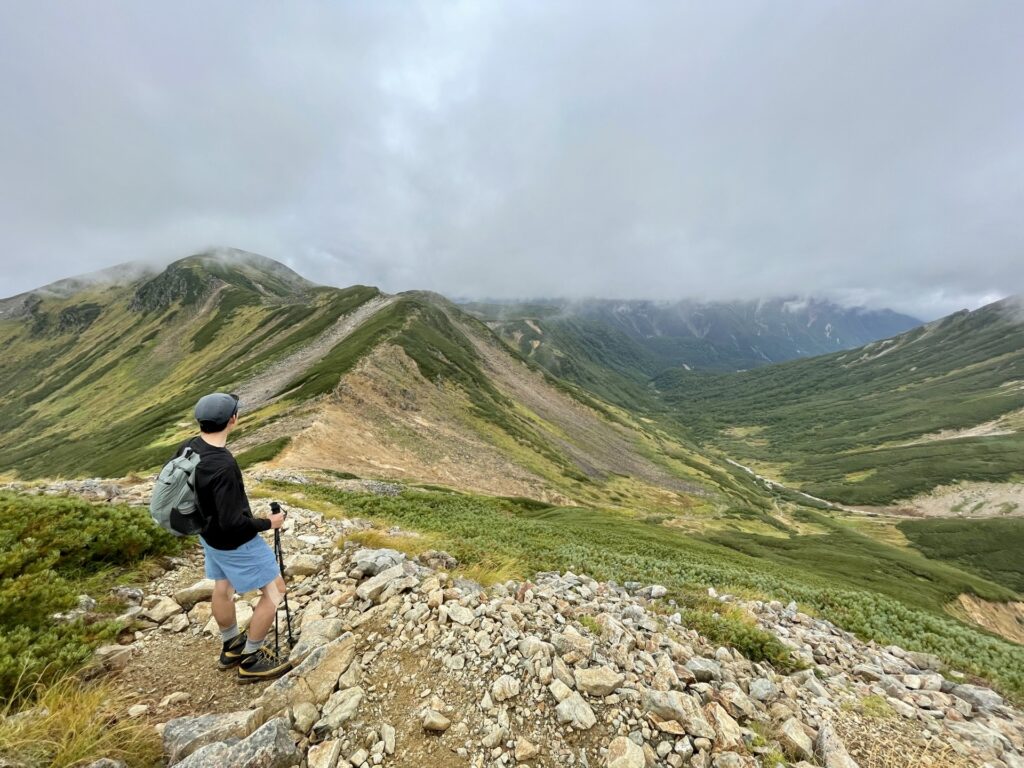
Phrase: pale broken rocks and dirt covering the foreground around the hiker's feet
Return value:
(399, 664)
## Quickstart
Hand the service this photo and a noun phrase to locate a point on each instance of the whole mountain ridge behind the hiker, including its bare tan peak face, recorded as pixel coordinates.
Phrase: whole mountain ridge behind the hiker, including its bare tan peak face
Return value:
(102, 378)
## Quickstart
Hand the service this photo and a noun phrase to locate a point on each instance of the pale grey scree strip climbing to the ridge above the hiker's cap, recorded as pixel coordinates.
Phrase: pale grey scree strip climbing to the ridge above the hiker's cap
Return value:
(263, 389)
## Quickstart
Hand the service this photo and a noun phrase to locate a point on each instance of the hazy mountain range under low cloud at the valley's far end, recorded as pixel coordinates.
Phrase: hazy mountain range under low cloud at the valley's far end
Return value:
(614, 348)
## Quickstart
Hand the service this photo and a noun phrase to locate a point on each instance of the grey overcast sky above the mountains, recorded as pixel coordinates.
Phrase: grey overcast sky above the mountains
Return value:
(867, 152)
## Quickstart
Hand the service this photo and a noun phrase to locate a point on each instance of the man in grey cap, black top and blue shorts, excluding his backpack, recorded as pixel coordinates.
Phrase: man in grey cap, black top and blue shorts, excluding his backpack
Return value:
(237, 558)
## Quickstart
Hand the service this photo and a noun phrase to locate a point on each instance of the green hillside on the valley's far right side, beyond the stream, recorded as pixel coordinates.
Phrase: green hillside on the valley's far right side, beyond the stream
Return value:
(841, 423)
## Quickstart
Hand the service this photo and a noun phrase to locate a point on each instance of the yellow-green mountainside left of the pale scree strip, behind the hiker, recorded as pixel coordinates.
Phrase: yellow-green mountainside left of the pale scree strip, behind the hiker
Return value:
(105, 400)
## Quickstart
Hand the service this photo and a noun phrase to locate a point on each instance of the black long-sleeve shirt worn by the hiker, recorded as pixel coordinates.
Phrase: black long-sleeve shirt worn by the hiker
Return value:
(222, 496)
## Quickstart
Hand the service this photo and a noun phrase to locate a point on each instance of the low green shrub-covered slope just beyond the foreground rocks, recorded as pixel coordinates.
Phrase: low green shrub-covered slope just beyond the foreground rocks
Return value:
(876, 590)
